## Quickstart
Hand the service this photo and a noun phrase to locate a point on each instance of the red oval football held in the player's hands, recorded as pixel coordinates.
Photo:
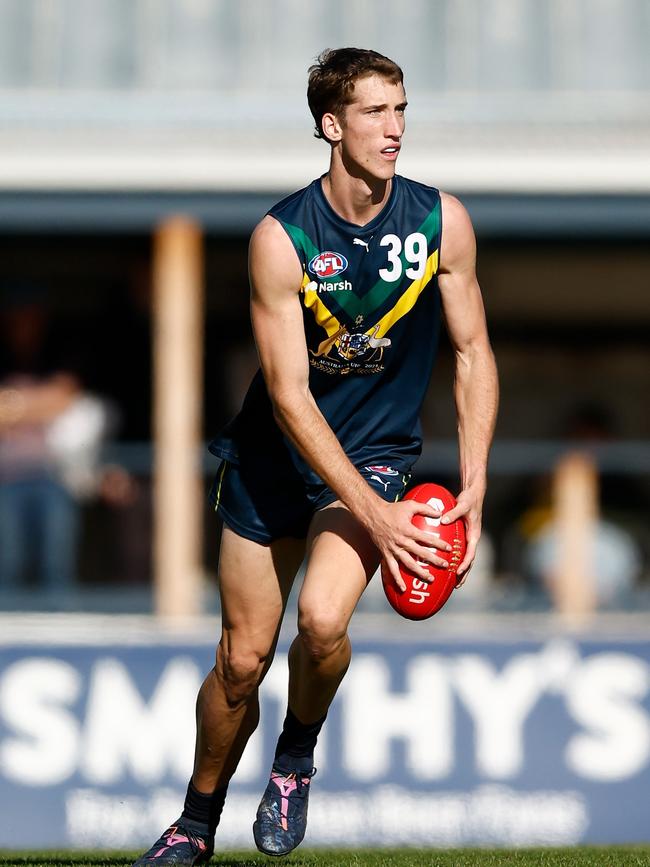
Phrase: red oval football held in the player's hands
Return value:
(421, 600)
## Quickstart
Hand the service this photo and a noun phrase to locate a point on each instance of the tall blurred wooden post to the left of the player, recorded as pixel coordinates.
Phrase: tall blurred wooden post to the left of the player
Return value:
(177, 409)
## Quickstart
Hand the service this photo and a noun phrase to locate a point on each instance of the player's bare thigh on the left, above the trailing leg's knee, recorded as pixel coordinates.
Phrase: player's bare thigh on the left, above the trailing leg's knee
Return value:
(254, 584)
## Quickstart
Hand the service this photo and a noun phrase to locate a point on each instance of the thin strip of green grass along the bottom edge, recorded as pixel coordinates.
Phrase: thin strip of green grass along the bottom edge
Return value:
(611, 856)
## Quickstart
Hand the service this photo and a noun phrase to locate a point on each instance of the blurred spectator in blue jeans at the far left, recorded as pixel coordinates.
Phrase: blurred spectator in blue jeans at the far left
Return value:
(50, 432)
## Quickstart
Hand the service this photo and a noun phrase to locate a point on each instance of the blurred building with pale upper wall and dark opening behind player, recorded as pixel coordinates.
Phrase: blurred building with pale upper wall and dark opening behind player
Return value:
(118, 114)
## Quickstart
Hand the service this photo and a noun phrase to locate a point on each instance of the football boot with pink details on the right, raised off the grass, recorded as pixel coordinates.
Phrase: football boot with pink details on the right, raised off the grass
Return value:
(282, 814)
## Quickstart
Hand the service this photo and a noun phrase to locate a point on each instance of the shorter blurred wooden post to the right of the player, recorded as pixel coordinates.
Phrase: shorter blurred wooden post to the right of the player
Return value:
(575, 507)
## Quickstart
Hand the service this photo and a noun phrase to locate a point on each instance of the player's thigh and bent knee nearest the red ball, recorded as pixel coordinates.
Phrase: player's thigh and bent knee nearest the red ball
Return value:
(341, 561)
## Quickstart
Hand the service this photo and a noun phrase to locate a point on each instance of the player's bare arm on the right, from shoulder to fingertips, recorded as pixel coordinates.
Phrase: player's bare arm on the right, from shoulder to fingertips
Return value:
(476, 388)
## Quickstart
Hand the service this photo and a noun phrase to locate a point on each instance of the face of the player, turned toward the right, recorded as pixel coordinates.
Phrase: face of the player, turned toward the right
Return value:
(372, 127)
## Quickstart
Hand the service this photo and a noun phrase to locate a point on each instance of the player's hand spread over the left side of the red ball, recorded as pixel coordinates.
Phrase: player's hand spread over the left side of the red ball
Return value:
(400, 542)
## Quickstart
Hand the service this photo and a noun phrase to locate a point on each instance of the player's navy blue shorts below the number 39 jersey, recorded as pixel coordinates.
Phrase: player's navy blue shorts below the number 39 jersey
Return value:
(264, 503)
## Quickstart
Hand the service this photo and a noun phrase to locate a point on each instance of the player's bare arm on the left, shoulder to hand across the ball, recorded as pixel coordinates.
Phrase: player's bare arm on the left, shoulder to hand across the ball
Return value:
(276, 315)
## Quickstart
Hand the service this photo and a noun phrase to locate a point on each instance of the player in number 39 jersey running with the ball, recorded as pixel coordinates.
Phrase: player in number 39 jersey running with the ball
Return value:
(350, 278)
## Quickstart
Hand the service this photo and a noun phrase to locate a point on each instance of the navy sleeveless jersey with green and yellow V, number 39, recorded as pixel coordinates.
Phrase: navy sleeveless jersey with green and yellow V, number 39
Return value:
(371, 312)
